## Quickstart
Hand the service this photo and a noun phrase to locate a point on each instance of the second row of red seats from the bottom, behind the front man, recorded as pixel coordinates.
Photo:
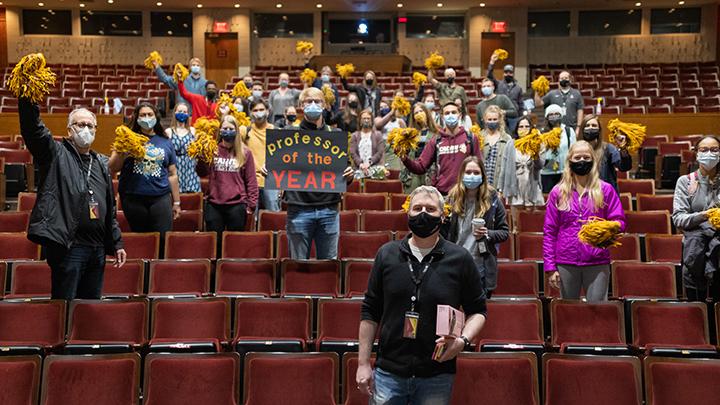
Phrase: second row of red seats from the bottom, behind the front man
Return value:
(245, 324)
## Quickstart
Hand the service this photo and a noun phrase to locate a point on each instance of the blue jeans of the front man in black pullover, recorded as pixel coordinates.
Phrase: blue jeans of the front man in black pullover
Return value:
(393, 390)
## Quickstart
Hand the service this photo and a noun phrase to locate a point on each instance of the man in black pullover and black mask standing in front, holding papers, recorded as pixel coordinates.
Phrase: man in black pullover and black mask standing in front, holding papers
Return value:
(409, 279)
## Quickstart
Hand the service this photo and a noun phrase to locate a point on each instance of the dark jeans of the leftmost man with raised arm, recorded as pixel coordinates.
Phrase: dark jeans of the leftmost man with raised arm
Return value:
(76, 272)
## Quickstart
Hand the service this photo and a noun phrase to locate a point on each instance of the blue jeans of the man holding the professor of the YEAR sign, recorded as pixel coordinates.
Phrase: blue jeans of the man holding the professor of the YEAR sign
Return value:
(308, 224)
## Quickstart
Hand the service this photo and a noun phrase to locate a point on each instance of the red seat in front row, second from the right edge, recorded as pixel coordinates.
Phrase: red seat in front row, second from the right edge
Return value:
(591, 380)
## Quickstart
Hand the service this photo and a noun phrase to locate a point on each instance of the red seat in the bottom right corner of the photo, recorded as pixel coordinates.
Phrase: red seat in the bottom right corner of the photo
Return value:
(670, 381)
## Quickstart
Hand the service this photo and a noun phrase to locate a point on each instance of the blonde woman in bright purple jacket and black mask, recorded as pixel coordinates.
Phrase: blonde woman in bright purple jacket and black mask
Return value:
(580, 195)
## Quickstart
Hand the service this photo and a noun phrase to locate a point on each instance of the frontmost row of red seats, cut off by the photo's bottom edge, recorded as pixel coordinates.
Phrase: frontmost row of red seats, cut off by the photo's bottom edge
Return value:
(322, 379)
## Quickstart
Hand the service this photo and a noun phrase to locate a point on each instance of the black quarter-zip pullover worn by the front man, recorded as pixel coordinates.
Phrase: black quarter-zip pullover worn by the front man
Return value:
(452, 279)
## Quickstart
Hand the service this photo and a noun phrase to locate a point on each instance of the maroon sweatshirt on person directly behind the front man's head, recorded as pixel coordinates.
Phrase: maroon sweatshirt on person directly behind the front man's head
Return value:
(452, 151)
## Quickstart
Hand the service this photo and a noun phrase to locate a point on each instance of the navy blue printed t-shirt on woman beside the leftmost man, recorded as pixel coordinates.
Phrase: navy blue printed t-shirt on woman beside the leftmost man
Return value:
(149, 176)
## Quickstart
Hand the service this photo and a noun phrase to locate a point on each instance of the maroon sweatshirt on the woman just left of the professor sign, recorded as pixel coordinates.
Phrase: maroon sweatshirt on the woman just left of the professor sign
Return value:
(228, 184)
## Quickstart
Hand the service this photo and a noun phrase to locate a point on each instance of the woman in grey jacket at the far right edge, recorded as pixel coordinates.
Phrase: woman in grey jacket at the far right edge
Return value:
(696, 196)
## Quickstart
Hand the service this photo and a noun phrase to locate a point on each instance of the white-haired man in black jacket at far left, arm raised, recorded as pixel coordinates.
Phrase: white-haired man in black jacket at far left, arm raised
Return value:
(74, 216)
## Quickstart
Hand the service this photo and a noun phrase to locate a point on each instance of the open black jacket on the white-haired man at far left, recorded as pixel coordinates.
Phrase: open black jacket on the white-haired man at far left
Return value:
(62, 190)
